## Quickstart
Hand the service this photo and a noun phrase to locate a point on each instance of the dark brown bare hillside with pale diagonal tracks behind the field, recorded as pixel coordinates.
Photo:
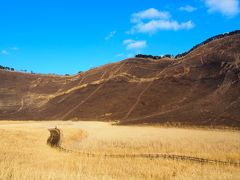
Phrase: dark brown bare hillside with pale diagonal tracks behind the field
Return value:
(201, 88)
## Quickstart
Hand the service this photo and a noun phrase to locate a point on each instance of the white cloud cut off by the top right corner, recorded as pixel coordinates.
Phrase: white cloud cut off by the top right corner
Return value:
(226, 7)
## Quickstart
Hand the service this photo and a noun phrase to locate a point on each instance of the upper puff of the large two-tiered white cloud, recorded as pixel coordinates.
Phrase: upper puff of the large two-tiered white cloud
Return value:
(149, 14)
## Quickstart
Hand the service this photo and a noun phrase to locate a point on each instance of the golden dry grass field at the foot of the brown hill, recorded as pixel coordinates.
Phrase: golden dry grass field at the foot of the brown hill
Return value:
(25, 155)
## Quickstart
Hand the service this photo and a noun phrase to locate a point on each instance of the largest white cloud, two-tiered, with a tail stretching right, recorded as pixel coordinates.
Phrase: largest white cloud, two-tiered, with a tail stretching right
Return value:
(152, 20)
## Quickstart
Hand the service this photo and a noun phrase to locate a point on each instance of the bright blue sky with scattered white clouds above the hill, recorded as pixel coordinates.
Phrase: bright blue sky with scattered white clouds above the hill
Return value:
(67, 36)
